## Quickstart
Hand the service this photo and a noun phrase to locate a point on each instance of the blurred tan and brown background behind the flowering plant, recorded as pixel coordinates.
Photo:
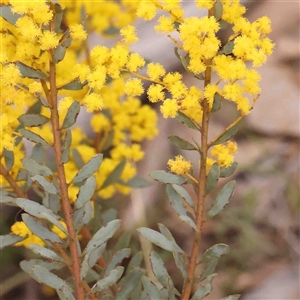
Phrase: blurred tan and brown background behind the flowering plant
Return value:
(261, 224)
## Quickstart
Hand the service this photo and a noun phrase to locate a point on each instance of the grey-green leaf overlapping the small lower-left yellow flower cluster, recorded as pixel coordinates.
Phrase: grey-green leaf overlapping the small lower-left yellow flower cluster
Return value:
(40, 230)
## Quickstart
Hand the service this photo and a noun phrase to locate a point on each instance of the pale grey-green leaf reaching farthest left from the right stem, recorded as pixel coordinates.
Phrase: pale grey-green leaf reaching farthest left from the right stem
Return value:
(159, 239)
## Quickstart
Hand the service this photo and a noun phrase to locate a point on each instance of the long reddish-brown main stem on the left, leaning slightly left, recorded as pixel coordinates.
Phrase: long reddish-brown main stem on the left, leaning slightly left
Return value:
(65, 202)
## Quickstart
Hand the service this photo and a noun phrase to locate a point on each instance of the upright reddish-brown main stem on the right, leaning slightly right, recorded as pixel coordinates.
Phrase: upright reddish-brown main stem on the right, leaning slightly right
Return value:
(187, 289)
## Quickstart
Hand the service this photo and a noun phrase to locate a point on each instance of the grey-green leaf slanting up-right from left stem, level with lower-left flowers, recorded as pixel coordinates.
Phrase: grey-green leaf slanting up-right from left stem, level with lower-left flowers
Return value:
(102, 235)
